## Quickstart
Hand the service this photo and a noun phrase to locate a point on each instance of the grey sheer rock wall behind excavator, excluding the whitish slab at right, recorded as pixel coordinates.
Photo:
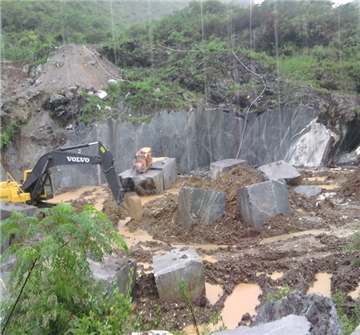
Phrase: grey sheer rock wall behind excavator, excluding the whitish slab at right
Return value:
(195, 138)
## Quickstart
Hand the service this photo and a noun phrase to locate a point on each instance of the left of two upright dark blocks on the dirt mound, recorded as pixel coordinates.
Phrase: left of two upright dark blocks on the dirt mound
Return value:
(197, 205)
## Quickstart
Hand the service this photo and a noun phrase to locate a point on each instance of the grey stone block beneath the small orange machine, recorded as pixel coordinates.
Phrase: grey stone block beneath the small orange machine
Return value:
(150, 182)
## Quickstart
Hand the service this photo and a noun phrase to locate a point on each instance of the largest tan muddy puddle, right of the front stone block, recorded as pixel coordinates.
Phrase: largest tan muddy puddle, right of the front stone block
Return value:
(243, 299)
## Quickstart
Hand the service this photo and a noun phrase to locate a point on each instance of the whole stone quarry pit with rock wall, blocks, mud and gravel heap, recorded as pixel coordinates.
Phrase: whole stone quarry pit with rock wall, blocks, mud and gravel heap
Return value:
(234, 211)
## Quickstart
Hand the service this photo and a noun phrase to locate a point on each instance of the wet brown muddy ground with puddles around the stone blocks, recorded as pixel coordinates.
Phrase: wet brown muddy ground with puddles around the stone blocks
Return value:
(305, 250)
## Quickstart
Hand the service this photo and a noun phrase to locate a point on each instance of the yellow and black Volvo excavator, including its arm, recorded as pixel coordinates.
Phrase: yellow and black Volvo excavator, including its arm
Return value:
(37, 185)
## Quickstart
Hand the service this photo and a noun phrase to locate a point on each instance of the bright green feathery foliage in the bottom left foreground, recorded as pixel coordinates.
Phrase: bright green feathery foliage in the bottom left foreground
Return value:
(60, 289)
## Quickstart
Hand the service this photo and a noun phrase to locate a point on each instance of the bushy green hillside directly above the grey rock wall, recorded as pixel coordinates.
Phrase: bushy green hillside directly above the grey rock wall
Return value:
(191, 53)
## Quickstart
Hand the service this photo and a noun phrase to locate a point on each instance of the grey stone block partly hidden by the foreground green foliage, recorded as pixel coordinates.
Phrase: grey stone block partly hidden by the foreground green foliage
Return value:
(119, 270)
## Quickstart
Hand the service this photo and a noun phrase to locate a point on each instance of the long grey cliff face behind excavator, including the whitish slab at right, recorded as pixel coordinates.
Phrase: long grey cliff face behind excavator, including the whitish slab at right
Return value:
(195, 138)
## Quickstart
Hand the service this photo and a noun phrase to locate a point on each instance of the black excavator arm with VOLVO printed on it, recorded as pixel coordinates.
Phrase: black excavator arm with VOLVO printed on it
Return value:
(40, 174)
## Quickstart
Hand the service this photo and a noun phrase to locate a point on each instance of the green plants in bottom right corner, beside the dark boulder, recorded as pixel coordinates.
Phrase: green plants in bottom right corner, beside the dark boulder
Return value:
(349, 321)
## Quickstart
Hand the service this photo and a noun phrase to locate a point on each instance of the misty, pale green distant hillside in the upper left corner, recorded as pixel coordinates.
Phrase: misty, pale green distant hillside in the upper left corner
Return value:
(30, 29)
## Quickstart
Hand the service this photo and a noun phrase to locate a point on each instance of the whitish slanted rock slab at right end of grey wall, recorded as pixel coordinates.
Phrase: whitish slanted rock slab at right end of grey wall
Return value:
(312, 146)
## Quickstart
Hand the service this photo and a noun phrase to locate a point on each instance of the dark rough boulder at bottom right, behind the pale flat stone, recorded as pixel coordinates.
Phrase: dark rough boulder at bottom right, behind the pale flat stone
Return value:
(318, 310)
